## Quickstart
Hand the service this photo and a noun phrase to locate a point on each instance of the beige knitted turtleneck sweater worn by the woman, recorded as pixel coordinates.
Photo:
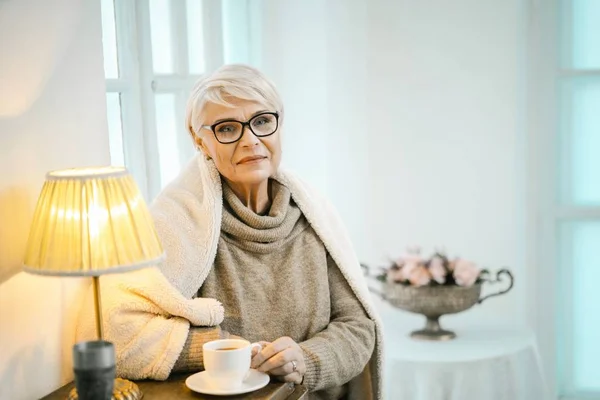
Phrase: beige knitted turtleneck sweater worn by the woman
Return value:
(274, 277)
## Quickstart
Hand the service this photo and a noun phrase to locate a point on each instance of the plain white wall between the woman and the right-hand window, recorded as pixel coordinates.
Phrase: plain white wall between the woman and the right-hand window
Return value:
(410, 116)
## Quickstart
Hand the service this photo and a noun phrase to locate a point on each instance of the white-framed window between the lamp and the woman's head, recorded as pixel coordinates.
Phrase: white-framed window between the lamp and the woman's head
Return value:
(154, 51)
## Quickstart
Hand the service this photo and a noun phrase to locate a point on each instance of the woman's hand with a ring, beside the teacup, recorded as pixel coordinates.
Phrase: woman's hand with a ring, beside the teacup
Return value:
(282, 358)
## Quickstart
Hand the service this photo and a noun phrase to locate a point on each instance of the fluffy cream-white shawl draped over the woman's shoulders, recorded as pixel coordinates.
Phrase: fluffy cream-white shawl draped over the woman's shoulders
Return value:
(147, 314)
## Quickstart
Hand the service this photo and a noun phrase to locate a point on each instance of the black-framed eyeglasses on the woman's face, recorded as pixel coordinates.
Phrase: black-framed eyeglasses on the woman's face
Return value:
(231, 130)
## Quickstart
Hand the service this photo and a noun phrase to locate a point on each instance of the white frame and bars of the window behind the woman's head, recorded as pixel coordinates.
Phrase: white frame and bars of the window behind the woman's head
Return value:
(138, 83)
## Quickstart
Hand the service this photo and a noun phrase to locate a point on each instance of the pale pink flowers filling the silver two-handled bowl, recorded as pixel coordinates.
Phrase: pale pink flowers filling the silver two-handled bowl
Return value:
(415, 270)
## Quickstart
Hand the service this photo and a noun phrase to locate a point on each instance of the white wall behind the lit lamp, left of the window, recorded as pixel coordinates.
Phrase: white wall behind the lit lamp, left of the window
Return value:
(52, 115)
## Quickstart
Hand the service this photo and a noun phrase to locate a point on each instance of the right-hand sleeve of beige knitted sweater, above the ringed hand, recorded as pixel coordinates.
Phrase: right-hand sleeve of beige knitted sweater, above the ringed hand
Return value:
(340, 352)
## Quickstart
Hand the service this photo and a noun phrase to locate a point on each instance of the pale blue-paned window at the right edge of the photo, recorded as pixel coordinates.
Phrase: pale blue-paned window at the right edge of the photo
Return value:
(576, 210)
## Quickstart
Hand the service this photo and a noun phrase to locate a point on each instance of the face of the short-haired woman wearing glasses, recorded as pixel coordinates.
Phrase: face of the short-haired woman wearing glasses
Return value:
(249, 161)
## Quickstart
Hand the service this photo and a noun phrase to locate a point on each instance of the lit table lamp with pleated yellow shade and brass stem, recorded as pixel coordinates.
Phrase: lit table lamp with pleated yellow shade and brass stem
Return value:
(90, 222)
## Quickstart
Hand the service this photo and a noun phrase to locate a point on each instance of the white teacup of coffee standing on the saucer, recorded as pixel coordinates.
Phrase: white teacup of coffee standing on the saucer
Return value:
(227, 361)
